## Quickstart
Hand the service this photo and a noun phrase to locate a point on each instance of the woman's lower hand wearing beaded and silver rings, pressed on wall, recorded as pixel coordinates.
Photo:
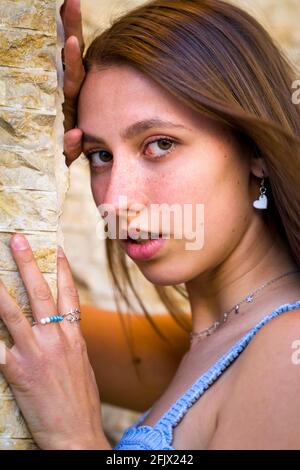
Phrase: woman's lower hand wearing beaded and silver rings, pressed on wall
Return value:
(48, 368)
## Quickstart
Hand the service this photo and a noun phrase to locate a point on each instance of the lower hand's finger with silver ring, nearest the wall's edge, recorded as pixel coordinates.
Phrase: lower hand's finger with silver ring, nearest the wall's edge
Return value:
(68, 298)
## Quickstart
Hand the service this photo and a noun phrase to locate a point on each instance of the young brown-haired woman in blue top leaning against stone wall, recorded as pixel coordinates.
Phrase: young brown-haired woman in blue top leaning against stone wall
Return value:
(182, 102)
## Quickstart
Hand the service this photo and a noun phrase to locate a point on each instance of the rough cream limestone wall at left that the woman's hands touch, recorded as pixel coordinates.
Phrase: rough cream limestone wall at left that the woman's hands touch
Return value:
(33, 177)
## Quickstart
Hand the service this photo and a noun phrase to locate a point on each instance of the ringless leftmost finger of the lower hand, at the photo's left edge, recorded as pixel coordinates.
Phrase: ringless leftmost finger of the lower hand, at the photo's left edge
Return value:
(15, 321)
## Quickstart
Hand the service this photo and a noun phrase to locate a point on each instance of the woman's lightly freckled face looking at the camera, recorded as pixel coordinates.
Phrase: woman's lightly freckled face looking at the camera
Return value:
(193, 161)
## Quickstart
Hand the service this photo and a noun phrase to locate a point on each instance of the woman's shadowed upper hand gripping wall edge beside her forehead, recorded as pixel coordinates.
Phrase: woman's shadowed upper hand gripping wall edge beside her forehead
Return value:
(73, 76)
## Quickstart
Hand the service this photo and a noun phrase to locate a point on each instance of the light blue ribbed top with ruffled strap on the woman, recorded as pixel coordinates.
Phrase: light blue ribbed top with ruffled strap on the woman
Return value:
(160, 436)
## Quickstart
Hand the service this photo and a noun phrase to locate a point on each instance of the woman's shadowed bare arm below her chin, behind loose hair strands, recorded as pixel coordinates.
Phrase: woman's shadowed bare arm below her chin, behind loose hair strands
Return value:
(111, 358)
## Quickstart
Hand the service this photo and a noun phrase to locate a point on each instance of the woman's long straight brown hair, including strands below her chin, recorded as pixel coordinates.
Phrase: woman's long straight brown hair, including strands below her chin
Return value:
(220, 62)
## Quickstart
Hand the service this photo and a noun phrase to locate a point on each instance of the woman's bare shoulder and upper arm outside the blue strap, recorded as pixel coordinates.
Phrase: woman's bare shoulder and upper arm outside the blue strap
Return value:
(262, 409)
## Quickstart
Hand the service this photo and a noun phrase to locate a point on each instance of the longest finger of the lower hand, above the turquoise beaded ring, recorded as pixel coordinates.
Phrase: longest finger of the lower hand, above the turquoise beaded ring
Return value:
(40, 297)
